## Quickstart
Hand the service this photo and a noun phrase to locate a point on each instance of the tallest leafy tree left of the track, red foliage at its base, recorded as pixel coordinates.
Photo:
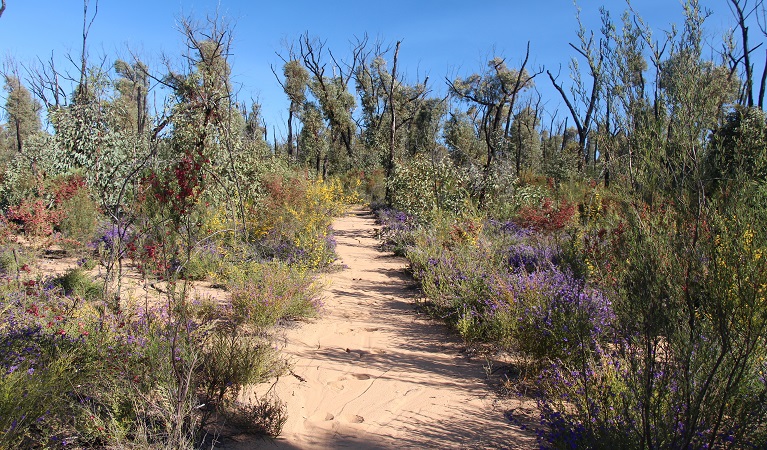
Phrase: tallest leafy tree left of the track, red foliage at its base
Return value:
(211, 142)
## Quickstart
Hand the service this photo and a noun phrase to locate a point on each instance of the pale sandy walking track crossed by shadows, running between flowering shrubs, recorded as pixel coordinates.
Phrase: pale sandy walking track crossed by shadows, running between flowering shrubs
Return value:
(376, 374)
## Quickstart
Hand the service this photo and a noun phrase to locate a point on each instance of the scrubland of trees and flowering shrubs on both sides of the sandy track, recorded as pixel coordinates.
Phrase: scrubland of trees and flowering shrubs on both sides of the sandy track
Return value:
(620, 260)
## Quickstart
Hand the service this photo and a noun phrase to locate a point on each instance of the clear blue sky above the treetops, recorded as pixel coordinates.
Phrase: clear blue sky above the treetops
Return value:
(439, 38)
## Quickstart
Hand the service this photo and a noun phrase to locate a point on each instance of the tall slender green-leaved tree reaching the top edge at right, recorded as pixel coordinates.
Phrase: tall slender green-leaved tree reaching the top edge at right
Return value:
(693, 95)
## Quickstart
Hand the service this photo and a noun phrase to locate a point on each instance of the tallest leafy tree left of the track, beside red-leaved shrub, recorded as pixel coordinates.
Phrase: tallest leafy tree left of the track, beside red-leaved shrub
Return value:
(206, 122)
